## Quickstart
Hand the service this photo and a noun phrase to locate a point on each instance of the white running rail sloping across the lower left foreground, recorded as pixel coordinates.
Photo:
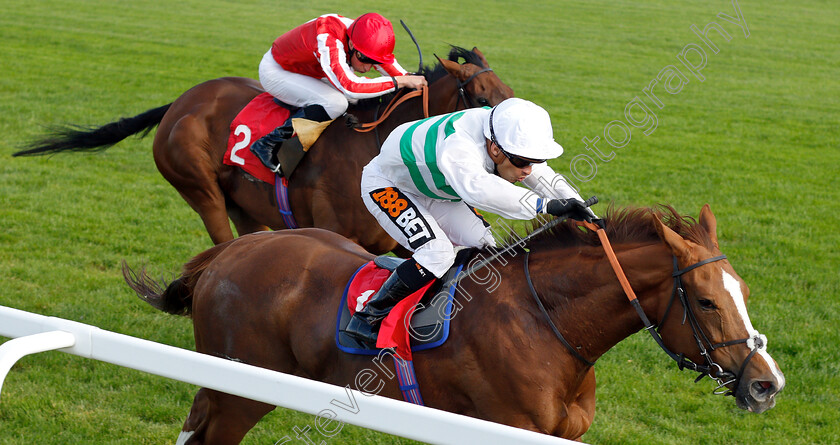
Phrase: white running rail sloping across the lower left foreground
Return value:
(32, 333)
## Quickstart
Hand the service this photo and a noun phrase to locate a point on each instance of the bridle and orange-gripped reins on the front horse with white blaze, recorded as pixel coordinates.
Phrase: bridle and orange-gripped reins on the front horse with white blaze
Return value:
(709, 367)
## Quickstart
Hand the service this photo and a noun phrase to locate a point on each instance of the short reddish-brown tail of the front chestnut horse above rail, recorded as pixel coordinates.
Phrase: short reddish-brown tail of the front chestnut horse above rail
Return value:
(175, 297)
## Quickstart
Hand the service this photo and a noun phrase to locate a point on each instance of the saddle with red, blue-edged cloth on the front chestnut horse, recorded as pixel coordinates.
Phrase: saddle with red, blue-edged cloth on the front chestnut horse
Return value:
(429, 309)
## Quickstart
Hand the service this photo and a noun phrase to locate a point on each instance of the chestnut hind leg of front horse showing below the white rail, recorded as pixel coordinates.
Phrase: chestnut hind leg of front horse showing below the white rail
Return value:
(219, 418)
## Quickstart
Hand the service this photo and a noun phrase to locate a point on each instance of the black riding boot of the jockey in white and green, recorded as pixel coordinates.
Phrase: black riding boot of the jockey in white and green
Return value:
(363, 326)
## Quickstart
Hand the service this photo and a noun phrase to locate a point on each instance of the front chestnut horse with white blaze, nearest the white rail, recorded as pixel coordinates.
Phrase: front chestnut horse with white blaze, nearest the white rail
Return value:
(505, 360)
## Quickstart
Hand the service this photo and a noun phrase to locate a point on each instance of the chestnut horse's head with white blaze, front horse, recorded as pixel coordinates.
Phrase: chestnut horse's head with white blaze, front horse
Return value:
(706, 318)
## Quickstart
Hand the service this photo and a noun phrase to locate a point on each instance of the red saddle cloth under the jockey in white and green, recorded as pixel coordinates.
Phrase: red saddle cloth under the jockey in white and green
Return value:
(393, 333)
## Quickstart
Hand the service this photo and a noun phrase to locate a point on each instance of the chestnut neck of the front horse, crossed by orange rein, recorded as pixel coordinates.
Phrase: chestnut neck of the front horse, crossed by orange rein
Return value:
(589, 305)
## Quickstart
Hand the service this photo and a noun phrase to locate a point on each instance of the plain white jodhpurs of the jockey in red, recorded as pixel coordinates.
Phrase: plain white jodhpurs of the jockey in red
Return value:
(300, 90)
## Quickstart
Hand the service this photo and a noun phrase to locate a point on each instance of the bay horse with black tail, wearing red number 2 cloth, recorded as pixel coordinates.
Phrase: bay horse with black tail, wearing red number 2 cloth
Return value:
(324, 190)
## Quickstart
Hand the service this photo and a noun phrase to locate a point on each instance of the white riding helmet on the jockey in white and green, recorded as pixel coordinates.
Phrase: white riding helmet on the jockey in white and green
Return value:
(522, 128)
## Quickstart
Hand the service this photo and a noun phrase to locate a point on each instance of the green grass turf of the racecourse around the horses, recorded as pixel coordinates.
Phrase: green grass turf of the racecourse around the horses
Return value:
(757, 139)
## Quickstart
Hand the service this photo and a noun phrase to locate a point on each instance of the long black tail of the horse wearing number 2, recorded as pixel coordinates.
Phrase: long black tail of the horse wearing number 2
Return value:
(93, 139)
